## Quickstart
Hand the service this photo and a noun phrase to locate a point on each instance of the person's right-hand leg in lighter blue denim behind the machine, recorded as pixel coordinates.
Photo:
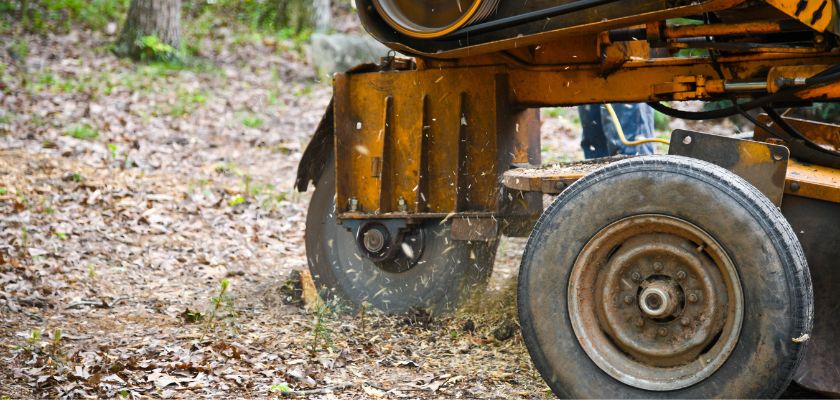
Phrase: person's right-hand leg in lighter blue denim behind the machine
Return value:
(636, 121)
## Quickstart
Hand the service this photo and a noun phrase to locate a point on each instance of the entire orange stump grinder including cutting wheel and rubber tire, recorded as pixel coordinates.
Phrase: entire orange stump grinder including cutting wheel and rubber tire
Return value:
(709, 271)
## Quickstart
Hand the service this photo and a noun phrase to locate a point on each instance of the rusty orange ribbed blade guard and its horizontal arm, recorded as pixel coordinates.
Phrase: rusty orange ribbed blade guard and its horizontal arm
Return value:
(418, 143)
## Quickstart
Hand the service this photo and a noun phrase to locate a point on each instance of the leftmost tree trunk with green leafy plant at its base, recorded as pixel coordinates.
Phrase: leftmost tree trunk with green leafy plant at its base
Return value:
(147, 18)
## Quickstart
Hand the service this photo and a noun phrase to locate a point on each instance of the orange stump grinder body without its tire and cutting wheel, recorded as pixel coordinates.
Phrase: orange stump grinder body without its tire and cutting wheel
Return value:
(440, 136)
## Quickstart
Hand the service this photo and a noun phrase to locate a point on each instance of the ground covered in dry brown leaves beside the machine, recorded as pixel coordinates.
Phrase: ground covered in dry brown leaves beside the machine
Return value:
(128, 193)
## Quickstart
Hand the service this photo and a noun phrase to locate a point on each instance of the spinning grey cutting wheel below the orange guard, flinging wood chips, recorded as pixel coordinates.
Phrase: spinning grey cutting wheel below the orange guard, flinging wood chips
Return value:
(447, 273)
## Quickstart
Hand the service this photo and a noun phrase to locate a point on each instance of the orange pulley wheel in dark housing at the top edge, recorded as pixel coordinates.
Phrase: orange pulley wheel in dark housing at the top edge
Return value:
(427, 19)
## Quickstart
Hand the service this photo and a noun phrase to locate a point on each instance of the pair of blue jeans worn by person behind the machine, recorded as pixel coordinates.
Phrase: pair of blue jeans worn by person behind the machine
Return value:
(600, 138)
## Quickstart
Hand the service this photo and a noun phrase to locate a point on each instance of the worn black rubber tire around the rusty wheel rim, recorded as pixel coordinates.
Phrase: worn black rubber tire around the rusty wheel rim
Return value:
(774, 276)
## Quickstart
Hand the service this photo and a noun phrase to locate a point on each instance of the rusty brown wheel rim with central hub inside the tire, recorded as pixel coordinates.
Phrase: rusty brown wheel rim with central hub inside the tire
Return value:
(655, 302)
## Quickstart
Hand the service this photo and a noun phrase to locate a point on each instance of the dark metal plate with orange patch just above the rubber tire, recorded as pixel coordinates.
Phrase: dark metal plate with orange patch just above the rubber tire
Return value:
(763, 165)
